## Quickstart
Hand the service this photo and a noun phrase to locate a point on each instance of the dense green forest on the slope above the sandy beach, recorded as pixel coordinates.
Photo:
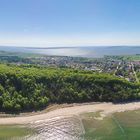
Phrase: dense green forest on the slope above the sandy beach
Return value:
(29, 87)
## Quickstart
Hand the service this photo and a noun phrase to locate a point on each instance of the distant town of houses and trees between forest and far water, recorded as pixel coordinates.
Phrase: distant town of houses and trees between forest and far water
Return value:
(127, 67)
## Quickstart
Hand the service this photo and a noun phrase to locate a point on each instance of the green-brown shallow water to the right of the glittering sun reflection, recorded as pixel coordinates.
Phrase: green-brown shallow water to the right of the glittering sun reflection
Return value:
(118, 126)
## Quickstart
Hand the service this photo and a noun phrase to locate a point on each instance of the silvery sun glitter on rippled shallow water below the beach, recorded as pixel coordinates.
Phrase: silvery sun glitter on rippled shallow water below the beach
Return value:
(59, 128)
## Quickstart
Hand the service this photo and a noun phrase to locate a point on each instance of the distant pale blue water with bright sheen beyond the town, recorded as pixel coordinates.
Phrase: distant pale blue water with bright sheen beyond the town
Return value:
(93, 52)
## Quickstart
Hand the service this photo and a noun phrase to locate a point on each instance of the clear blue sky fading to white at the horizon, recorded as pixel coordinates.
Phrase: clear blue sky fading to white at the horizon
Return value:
(52, 23)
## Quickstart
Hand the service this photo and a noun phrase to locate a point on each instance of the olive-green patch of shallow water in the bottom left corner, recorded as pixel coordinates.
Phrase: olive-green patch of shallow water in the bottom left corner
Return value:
(8, 132)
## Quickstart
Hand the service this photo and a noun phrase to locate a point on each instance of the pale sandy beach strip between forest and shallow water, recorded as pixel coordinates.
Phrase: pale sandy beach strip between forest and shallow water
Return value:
(105, 108)
